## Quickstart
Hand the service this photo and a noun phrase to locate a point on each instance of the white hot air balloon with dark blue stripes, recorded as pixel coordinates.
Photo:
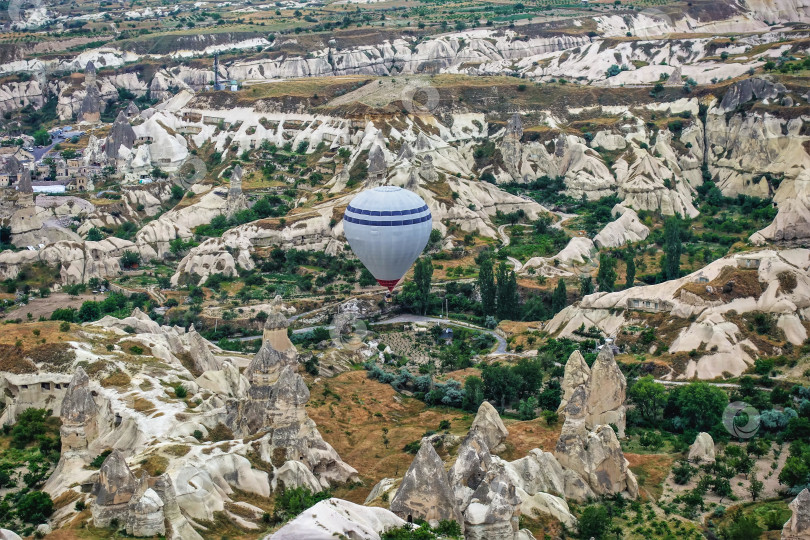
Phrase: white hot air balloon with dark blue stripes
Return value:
(387, 228)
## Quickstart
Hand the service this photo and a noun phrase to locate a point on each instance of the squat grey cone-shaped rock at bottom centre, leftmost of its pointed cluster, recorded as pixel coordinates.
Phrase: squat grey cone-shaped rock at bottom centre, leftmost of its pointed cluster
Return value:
(425, 491)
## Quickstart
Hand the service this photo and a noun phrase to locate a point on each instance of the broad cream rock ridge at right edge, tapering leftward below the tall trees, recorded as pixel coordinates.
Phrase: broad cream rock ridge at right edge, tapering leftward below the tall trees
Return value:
(728, 348)
